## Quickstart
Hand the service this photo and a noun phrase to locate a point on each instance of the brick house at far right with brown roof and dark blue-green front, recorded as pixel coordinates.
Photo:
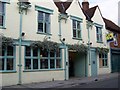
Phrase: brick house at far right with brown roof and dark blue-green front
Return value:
(115, 44)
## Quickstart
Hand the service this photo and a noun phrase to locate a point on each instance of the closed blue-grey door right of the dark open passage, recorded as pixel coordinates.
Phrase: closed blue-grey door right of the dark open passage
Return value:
(93, 63)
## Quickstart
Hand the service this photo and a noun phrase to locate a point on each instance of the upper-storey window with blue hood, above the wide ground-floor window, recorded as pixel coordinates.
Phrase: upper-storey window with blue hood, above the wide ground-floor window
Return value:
(43, 20)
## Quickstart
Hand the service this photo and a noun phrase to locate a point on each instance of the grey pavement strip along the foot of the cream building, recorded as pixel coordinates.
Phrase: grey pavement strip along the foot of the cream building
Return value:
(66, 84)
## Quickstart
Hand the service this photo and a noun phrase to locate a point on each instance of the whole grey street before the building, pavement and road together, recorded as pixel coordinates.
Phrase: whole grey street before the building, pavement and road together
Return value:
(101, 81)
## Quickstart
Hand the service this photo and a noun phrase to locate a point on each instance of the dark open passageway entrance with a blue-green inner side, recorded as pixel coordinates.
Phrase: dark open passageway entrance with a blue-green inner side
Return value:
(77, 64)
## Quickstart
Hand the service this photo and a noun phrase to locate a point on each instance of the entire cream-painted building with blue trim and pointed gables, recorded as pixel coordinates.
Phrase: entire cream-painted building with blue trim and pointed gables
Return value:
(51, 41)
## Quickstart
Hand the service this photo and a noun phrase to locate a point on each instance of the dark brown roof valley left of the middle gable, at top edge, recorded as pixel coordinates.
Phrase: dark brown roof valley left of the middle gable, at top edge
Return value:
(62, 6)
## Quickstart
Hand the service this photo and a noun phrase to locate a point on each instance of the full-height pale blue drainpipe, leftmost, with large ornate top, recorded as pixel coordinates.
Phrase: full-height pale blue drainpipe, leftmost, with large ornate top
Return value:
(23, 6)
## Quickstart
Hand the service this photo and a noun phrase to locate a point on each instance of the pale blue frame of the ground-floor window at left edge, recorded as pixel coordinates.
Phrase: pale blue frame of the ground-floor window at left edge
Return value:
(5, 57)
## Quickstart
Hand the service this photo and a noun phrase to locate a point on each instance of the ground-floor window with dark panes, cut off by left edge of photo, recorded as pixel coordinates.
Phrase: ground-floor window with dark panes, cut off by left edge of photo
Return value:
(7, 59)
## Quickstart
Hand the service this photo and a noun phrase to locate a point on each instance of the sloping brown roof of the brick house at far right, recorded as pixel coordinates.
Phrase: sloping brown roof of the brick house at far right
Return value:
(111, 26)
